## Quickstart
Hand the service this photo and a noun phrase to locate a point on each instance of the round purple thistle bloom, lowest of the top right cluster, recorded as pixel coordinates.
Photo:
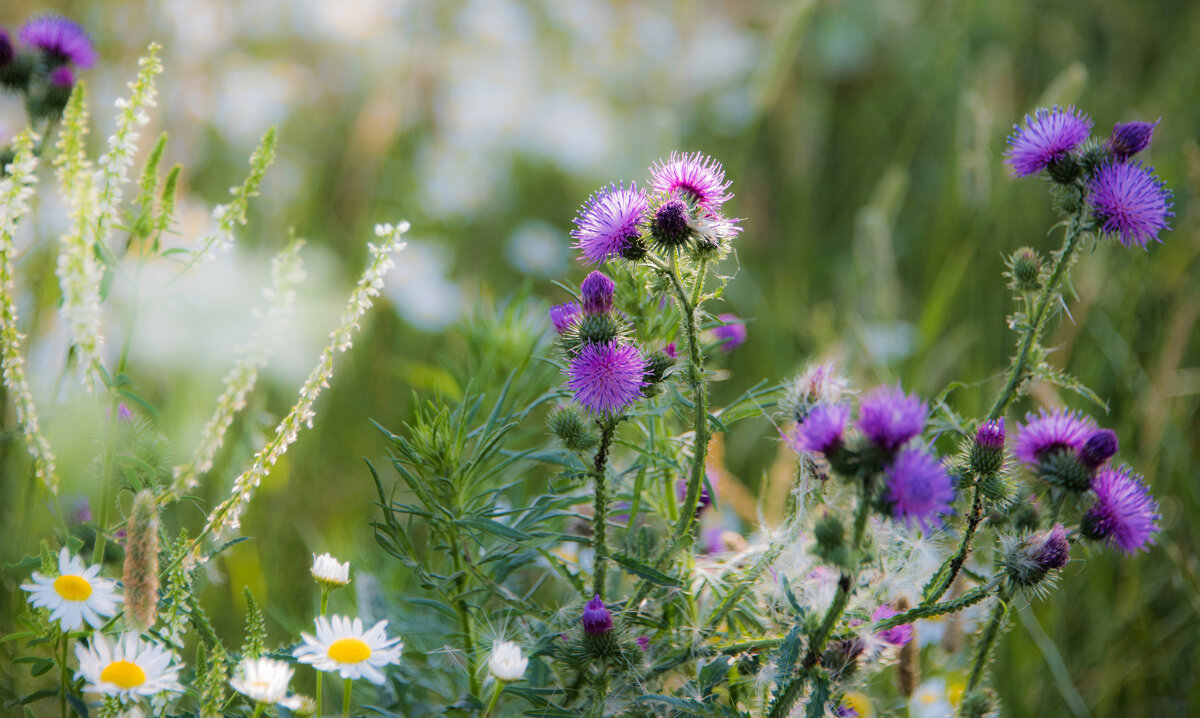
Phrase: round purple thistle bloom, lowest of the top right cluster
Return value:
(1130, 202)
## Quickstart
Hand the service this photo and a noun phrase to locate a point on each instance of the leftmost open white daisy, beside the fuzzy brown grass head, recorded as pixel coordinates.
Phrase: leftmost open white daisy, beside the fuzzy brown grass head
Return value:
(76, 595)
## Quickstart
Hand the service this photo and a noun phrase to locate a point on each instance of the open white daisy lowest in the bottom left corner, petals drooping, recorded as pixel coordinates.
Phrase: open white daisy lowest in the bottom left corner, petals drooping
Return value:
(130, 669)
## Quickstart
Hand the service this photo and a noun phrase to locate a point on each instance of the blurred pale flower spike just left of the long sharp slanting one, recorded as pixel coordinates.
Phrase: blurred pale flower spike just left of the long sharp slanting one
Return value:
(287, 272)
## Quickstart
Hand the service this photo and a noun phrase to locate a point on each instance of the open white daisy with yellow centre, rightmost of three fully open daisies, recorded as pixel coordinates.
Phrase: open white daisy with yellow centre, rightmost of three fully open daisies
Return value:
(341, 645)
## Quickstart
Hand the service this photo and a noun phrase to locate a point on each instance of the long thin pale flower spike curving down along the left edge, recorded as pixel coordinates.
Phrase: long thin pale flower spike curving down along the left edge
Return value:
(16, 189)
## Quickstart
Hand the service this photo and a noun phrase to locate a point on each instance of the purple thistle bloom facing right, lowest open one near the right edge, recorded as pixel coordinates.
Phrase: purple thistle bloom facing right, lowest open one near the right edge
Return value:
(1125, 514)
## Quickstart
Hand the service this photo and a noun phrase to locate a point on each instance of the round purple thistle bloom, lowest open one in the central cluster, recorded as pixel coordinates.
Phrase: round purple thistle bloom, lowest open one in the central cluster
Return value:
(607, 378)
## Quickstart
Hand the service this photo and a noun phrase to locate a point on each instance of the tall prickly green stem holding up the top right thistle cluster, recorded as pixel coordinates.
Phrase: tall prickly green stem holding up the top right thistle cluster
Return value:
(1036, 324)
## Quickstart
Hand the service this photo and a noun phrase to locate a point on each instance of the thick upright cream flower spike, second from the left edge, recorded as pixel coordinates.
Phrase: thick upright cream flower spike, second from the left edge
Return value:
(79, 270)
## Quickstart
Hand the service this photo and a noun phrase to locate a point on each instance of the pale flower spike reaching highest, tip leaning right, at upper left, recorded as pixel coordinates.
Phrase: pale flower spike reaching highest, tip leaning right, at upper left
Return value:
(123, 145)
